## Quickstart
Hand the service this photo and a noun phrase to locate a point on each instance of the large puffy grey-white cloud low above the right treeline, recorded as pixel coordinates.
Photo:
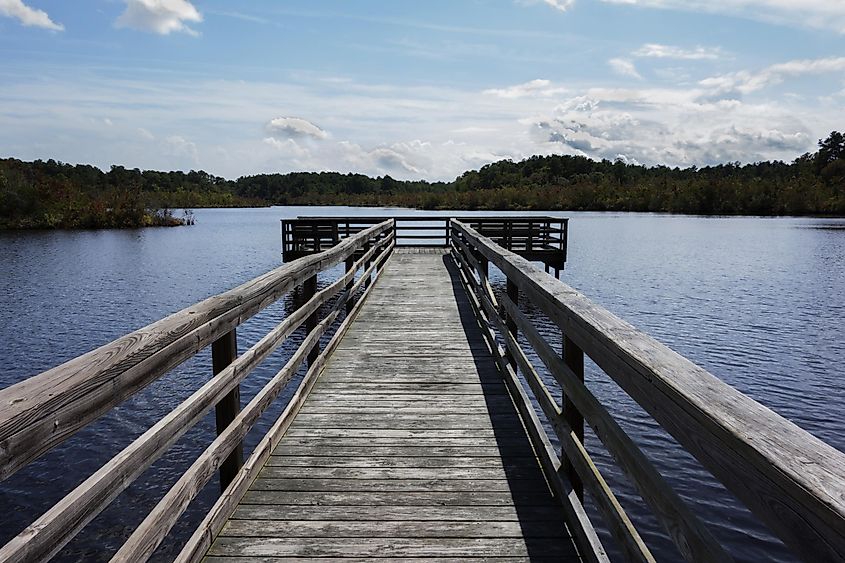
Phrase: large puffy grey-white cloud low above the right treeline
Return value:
(673, 131)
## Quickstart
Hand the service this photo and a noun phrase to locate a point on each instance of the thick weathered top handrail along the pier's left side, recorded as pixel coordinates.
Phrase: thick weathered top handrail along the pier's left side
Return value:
(41, 412)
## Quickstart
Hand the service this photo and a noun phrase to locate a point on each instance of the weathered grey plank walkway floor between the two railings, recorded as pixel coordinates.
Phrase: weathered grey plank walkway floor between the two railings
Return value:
(409, 445)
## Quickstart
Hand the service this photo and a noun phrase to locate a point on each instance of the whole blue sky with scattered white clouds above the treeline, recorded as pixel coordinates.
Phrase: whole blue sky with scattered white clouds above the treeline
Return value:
(416, 90)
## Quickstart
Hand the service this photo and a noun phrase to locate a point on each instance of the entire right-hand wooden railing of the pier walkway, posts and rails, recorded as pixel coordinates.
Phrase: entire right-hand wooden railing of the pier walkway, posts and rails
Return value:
(790, 480)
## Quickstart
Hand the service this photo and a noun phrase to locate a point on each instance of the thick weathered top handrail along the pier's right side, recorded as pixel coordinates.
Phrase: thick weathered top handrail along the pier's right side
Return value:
(792, 481)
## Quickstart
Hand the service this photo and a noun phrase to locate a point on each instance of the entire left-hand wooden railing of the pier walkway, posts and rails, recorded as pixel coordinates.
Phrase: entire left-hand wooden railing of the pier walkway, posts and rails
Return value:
(41, 412)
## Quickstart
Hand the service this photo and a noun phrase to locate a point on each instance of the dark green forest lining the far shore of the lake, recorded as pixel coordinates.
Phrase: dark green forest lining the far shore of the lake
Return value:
(56, 195)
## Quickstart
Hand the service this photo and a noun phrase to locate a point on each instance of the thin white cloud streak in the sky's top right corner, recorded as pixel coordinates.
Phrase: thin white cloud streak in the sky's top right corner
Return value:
(827, 14)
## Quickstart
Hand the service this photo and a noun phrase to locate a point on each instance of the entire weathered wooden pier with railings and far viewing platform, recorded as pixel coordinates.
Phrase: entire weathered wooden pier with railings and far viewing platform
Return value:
(421, 428)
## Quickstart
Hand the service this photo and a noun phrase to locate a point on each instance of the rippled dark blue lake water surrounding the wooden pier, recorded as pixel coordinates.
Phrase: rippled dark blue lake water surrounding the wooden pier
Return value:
(758, 302)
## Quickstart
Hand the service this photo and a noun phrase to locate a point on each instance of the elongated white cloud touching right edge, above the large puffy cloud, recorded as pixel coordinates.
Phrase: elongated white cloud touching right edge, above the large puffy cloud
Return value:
(746, 82)
